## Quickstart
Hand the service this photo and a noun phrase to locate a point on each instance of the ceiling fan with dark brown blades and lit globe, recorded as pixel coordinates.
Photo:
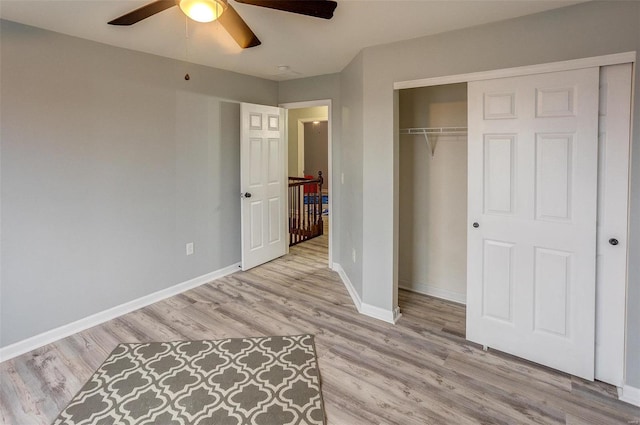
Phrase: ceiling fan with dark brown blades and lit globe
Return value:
(210, 10)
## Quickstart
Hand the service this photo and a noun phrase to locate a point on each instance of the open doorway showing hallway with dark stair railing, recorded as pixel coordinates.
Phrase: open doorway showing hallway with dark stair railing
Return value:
(309, 171)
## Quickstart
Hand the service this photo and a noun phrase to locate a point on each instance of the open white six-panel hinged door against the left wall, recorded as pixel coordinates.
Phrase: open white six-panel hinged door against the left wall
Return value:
(263, 183)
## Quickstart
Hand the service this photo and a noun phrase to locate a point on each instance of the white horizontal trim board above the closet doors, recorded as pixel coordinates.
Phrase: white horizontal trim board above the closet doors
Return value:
(605, 60)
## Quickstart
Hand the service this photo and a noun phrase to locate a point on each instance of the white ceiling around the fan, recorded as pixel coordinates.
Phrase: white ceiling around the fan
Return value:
(309, 46)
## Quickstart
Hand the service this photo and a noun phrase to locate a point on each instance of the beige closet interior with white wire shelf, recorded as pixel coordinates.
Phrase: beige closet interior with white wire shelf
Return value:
(433, 191)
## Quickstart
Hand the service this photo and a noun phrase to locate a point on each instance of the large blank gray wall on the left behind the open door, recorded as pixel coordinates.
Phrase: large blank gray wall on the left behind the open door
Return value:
(111, 162)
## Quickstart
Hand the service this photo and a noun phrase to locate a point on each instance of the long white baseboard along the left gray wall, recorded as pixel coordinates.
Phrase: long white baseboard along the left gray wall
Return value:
(80, 325)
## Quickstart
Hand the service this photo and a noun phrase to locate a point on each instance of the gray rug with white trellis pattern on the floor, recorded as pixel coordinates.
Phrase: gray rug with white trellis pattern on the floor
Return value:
(262, 381)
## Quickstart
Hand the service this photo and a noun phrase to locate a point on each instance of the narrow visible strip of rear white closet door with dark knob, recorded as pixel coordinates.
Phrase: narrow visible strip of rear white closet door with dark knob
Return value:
(613, 196)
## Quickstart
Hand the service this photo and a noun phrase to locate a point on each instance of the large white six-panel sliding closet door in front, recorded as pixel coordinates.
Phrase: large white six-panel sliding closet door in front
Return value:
(533, 158)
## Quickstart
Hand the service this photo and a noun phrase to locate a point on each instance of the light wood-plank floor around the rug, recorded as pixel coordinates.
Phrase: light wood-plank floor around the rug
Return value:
(419, 371)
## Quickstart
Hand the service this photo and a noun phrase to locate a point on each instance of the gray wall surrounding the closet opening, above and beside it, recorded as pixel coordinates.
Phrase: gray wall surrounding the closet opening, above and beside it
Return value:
(589, 29)
